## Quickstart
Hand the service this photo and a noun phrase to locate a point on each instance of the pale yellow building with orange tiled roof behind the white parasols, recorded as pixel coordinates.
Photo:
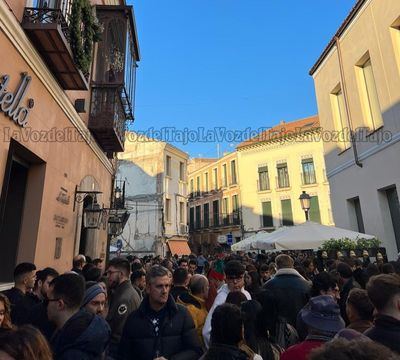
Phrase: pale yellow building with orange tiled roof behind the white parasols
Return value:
(275, 168)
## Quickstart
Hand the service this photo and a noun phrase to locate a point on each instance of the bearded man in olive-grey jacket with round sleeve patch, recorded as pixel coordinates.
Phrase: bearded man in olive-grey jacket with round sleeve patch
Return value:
(123, 300)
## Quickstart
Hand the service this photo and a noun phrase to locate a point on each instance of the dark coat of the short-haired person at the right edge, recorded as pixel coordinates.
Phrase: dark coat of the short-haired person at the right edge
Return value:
(386, 330)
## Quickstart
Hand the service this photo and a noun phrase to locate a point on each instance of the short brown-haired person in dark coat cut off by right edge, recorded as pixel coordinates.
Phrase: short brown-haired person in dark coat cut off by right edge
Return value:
(384, 292)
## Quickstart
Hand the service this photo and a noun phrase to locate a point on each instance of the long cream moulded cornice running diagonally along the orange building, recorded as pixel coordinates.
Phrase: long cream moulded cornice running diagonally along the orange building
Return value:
(14, 32)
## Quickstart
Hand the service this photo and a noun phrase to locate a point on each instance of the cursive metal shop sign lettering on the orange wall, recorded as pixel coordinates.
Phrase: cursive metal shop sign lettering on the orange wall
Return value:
(10, 103)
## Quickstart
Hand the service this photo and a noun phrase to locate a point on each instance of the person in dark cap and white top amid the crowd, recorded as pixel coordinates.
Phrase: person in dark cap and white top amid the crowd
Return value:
(234, 274)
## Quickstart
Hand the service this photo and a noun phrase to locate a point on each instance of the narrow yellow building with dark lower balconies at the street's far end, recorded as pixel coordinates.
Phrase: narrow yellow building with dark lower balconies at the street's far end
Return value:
(214, 202)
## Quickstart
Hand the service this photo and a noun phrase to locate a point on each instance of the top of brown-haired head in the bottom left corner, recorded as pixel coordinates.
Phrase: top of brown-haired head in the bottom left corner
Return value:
(24, 343)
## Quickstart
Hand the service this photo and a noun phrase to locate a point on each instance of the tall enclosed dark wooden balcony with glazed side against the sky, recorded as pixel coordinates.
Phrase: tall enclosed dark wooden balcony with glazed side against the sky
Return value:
(113, 79)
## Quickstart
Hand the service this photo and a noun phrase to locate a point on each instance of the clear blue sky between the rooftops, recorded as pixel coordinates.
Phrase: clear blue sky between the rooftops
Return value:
(207, 65)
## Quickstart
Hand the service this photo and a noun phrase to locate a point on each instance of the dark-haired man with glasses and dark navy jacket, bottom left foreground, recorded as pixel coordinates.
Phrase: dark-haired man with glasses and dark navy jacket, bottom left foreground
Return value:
(80, 334)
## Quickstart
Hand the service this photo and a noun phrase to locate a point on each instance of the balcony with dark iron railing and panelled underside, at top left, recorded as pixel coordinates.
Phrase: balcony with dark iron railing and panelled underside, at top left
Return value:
(48, 30)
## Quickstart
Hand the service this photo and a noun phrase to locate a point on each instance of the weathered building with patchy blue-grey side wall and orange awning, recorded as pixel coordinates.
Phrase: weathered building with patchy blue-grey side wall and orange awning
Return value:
(155, 175)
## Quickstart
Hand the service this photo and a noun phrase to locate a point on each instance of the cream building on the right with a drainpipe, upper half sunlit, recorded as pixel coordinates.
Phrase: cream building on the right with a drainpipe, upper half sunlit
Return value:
(357, 83)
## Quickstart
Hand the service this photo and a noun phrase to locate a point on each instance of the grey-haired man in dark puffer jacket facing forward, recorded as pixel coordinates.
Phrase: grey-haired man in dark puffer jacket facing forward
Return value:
(160, 328)
